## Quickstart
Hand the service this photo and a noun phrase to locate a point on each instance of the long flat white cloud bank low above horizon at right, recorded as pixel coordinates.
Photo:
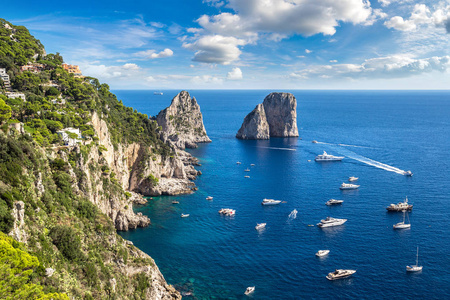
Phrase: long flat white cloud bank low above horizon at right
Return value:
(397, 66)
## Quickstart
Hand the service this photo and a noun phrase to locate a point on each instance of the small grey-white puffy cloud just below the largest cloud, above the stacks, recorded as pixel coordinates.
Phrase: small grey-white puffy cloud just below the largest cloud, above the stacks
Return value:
(216, 49)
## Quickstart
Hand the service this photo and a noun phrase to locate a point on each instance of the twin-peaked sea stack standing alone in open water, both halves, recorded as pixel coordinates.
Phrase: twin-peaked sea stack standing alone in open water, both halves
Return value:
(275, 117)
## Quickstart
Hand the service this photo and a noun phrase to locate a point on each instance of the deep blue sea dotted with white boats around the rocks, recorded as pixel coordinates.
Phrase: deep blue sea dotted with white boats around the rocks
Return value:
(380, 133)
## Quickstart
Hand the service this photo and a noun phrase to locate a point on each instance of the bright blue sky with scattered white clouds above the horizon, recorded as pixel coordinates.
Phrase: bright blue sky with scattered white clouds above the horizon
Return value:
(247, 44)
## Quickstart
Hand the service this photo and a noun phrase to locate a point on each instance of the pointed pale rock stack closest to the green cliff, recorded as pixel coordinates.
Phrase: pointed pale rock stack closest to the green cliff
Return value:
(182, 122)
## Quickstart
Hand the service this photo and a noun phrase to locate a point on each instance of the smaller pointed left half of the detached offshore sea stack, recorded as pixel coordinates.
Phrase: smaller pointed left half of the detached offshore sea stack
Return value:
(255, 126)
